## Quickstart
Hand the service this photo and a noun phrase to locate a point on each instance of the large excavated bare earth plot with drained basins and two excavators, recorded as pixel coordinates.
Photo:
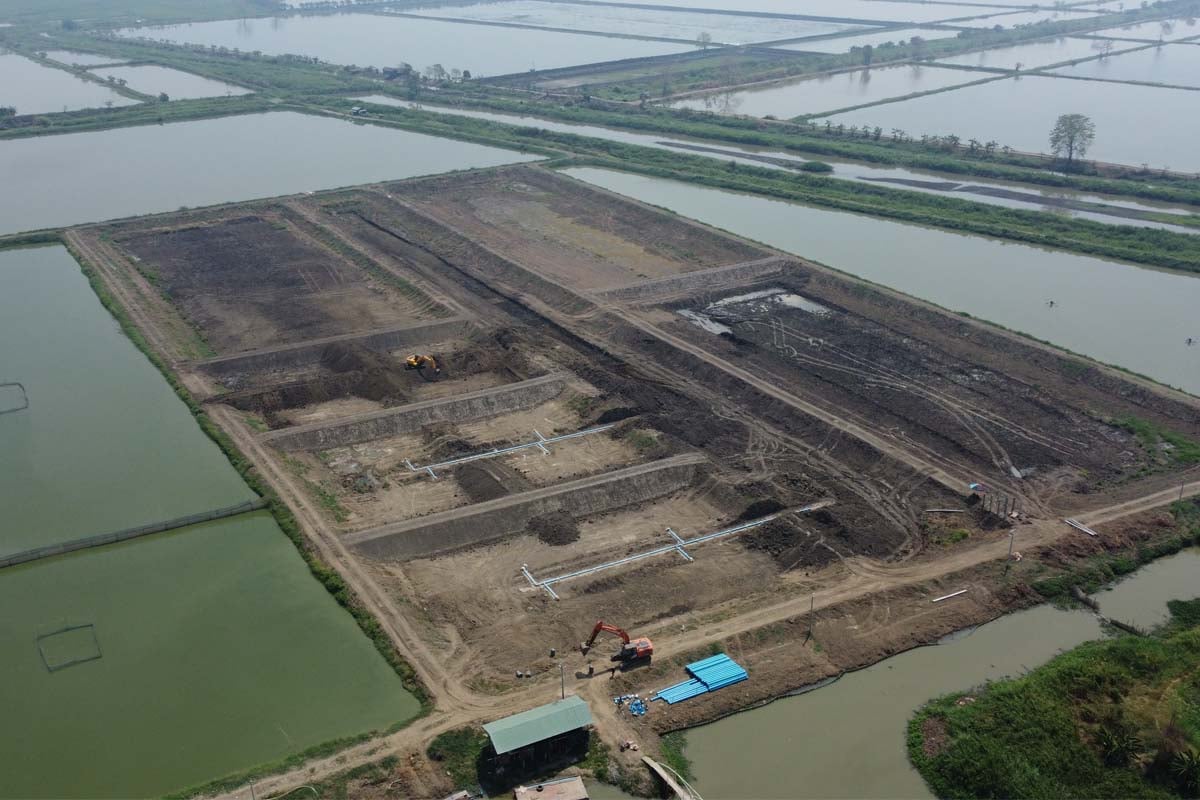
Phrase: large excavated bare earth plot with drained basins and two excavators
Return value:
(716, 383)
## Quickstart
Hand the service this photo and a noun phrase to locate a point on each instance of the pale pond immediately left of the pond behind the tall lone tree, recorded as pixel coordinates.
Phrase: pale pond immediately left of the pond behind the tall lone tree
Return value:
(831, 93)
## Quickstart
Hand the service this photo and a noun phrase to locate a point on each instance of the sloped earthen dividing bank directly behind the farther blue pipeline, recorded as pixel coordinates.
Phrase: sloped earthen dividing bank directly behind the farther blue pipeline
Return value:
(409, 419)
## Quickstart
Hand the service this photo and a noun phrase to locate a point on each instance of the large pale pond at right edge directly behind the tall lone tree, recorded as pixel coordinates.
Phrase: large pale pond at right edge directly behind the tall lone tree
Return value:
(1021, 112)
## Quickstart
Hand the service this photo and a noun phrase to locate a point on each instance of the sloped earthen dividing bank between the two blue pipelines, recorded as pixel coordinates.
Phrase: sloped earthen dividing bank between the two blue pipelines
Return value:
(497, 519)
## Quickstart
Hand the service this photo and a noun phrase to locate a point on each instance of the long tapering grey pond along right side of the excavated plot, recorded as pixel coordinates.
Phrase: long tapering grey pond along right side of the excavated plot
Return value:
(1118, 314)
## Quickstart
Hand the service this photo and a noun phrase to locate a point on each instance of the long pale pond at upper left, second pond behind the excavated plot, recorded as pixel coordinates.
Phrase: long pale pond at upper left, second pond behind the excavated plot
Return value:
(383, 41)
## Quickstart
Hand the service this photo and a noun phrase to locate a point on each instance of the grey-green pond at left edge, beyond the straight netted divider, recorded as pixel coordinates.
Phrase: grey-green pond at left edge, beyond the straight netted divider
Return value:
(105, 443)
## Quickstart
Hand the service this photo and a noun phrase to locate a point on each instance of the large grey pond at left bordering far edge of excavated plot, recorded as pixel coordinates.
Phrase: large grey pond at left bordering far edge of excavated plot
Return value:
(164, 167)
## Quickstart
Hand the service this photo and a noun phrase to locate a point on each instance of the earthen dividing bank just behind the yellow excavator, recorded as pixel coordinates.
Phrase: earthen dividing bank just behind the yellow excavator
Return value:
(309, 354)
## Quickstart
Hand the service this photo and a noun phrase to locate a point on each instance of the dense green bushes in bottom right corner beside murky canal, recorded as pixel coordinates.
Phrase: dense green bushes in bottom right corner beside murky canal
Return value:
(1113, 719)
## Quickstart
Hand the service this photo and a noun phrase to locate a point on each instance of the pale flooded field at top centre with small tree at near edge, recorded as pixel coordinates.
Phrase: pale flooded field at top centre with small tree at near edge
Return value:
(638, 22)
